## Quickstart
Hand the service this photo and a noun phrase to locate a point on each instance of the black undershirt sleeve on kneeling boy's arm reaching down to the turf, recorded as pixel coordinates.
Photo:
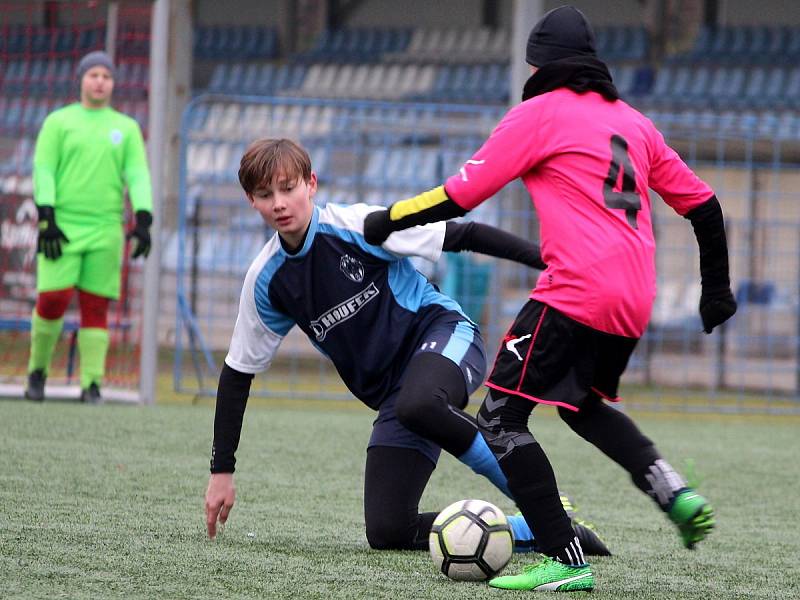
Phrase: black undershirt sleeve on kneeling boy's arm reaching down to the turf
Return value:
(232, 394)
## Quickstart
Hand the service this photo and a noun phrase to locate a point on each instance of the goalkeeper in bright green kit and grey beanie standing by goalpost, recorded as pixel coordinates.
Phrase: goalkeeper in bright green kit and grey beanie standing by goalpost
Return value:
(86, 153)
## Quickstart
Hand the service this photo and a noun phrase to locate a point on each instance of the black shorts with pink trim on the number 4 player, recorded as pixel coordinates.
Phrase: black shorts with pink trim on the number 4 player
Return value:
(550, 358)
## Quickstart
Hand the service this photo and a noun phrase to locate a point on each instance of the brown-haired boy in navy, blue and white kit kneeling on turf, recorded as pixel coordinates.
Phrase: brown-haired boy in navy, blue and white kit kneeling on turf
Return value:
(401, 347)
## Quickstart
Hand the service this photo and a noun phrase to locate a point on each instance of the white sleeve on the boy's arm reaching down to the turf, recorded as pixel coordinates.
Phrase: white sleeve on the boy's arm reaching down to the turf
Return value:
(253, 344)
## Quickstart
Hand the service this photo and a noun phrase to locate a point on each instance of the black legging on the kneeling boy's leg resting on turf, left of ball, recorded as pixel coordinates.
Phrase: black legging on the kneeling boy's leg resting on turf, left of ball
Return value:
(393, 484)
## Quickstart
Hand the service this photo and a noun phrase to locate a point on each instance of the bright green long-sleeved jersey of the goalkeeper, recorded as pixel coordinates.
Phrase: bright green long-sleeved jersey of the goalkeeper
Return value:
(82, 162)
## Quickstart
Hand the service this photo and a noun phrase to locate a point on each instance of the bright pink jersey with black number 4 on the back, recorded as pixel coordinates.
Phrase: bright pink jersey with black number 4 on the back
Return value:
(587, 164)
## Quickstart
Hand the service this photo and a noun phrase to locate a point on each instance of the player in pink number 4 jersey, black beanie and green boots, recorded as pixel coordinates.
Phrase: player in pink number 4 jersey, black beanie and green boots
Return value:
(587, 159)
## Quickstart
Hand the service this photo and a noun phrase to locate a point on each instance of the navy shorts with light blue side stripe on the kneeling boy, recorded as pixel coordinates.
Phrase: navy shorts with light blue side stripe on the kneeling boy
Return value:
(461, 342)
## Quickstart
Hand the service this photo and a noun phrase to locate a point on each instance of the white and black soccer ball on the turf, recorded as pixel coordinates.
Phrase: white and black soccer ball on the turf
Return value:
(471, 540)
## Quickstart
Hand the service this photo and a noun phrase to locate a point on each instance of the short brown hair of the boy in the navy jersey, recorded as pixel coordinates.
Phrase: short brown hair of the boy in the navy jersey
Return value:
(267, 158)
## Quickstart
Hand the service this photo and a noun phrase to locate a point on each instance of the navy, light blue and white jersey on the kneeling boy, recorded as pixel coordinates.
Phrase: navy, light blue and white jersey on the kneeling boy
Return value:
(365, 307)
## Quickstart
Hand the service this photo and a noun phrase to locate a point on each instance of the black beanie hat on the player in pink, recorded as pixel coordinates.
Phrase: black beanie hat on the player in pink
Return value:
(561, 33)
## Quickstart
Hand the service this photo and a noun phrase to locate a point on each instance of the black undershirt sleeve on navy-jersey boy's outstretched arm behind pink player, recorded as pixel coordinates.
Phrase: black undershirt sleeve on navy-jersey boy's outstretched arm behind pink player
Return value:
(485, 239)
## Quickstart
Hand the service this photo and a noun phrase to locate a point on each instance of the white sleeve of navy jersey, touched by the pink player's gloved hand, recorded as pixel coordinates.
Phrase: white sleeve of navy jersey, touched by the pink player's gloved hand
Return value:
(424, 241)
